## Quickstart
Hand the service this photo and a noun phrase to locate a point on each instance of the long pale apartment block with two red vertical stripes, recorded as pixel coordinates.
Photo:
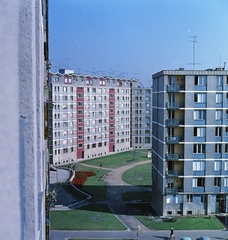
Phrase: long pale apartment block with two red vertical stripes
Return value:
(90, 116)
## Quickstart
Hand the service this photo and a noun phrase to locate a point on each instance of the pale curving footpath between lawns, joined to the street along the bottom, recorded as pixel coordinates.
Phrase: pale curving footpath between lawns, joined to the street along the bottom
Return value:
(135, 229)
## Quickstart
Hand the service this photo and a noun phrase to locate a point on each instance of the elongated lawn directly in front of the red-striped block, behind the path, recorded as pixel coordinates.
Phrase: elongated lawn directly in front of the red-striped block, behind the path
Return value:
(119, 159)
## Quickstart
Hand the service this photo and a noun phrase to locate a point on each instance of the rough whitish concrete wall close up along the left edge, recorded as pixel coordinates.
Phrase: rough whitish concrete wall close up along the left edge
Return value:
(21, 120)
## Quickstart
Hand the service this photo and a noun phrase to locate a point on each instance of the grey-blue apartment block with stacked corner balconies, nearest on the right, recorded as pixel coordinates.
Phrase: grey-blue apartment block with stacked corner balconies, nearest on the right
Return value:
(190, 135)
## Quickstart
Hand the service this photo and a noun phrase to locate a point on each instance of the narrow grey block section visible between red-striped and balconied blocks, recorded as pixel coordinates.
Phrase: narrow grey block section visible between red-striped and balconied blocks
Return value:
(141, 121)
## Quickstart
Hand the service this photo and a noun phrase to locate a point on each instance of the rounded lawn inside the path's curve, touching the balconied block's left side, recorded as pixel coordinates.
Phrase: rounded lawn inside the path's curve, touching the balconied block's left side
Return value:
(139, 176)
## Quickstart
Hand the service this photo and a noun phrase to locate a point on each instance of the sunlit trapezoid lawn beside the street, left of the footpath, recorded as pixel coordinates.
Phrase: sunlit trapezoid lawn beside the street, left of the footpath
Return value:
(90, 217)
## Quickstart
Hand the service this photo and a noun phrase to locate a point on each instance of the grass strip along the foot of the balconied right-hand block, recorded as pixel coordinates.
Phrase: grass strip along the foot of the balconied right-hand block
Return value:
(185, 223)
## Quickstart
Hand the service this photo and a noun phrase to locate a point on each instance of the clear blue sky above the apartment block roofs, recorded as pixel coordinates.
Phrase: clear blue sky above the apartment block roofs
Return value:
(137, 38)
